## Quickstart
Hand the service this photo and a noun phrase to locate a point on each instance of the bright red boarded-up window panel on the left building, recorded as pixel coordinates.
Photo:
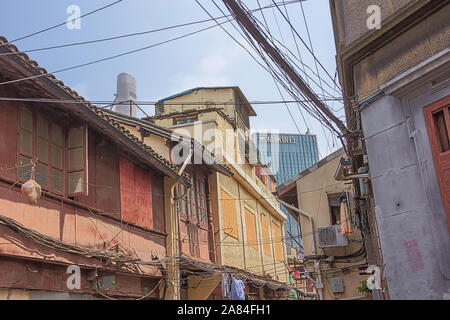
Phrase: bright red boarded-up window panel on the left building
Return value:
(135, 194)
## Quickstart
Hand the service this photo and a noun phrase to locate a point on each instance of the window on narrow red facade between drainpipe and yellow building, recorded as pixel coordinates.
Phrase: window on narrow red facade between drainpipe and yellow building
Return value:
(194, 204)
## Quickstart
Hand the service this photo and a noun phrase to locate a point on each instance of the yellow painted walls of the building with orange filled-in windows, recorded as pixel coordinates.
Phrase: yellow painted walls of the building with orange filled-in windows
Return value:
(237, 249)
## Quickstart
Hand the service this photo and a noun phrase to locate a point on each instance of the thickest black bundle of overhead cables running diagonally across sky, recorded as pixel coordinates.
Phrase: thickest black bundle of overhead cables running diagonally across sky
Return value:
(242, 17)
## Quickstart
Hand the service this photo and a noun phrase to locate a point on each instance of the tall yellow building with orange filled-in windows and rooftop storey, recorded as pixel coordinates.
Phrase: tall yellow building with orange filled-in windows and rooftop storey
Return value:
(248, 222)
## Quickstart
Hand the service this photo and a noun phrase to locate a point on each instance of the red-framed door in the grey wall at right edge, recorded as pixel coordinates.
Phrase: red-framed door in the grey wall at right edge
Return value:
(438, 122)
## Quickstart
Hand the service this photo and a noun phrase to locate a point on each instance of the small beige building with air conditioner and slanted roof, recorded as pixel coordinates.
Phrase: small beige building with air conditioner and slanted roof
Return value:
(337, 269)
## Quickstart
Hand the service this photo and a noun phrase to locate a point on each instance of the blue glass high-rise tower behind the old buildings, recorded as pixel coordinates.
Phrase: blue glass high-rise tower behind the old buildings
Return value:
(287, 155)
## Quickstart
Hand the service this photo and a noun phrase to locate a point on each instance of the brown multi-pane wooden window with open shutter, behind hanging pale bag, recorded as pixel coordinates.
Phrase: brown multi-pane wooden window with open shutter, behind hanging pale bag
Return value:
(44, 142)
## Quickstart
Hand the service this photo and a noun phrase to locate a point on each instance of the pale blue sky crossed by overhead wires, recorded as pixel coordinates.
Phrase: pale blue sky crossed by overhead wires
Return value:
(208, 58)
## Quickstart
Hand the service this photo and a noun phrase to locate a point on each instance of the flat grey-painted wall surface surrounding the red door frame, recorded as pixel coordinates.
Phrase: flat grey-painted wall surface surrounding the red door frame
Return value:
(409, 210)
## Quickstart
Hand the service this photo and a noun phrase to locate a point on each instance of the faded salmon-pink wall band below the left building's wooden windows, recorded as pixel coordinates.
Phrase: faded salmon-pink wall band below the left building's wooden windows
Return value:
(73, 225)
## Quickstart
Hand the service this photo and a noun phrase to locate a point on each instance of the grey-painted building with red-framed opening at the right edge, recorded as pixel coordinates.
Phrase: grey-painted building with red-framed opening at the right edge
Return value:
(396, 79)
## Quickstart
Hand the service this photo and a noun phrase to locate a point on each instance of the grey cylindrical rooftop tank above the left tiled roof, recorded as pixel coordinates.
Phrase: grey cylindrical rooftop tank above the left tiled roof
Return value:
(126, 93)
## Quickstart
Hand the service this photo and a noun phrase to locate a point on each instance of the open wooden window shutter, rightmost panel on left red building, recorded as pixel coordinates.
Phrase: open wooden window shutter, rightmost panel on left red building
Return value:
(77, 164)
